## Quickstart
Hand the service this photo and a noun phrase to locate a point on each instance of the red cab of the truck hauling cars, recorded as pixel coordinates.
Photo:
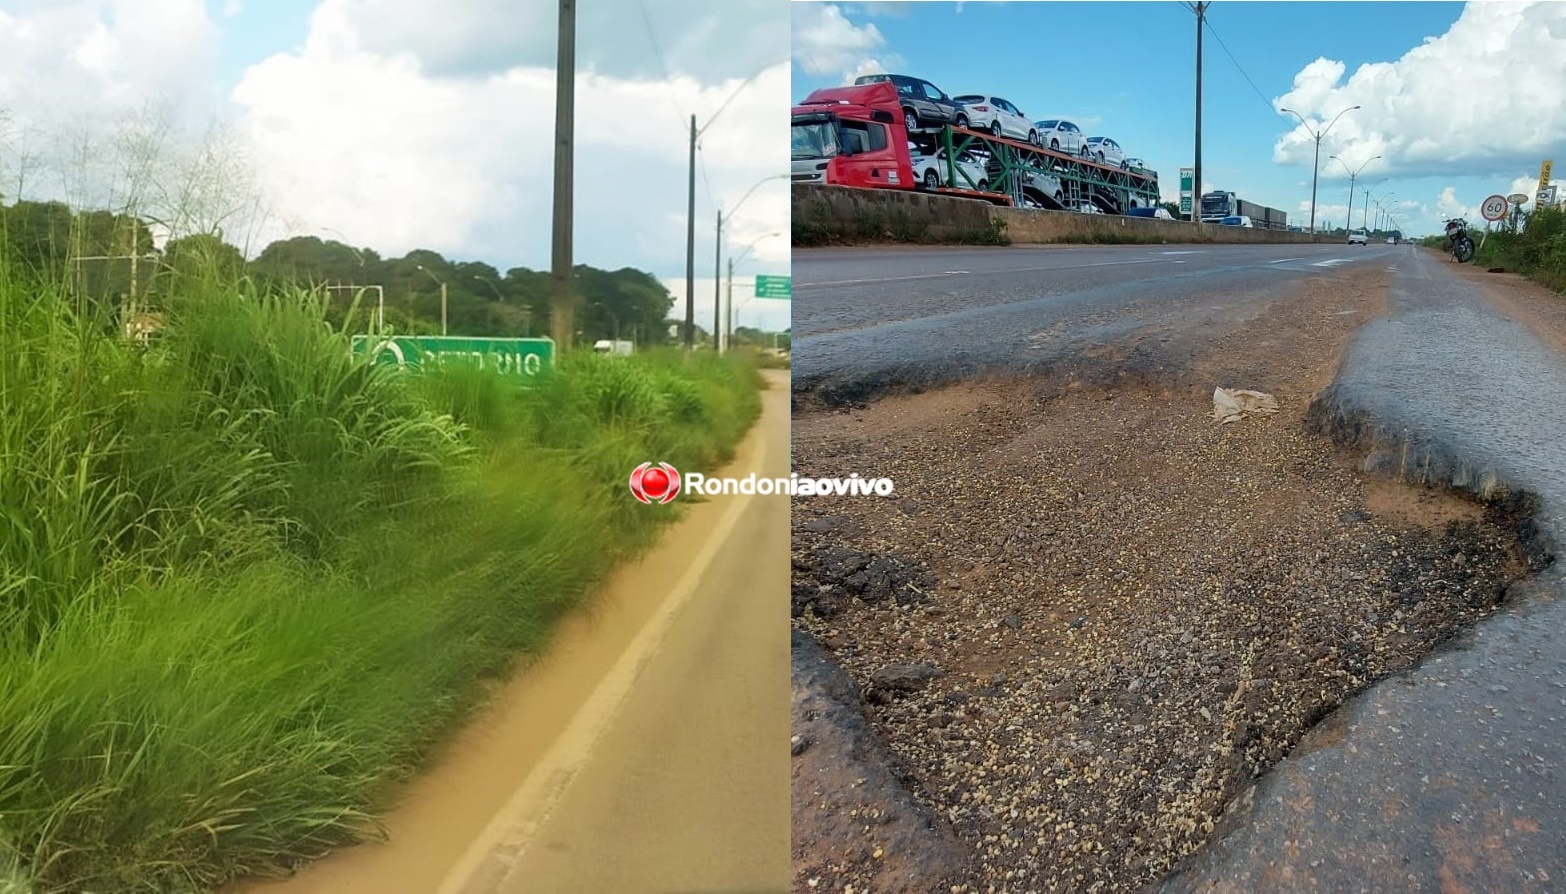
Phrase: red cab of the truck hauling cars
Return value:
(851, 137)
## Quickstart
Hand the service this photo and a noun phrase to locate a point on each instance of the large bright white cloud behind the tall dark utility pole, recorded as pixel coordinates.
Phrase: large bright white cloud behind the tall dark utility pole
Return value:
(377, 148)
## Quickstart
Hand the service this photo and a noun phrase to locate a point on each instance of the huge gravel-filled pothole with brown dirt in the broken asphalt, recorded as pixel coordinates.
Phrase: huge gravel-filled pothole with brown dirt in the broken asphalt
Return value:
(1088, 621)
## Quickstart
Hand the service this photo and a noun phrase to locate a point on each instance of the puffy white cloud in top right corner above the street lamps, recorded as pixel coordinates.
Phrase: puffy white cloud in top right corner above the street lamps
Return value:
(1481, 99)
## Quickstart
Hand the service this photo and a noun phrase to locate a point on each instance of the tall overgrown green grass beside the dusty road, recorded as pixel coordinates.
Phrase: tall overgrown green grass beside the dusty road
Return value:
(247, 585)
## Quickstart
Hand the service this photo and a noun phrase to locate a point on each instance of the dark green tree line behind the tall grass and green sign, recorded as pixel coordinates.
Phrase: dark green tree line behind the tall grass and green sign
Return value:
(95, 250)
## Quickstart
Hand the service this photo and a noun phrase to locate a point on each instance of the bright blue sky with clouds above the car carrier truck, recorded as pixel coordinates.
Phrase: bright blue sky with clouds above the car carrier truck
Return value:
(1448, 118)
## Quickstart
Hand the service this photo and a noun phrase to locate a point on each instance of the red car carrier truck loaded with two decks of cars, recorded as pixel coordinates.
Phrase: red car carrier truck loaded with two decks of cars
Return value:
(856, 137)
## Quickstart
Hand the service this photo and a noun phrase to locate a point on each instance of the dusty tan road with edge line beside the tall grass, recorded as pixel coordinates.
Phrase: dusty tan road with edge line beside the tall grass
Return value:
(646, 754)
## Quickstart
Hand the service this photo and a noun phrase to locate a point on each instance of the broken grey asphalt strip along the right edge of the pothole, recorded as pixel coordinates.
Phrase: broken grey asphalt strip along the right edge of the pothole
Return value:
(1454, 776)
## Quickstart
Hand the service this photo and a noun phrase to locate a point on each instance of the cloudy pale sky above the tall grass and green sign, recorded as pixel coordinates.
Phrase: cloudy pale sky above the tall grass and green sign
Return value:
(402, 124)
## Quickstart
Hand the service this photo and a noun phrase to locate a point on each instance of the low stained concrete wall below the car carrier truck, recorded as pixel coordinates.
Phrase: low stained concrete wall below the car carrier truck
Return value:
(842, 214)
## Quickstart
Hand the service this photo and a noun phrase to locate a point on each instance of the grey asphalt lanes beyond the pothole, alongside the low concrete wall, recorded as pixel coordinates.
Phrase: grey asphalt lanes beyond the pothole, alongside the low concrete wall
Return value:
(868, 322)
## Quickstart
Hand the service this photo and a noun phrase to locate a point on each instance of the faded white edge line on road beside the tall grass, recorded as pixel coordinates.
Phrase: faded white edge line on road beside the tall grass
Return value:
(546, 787)
